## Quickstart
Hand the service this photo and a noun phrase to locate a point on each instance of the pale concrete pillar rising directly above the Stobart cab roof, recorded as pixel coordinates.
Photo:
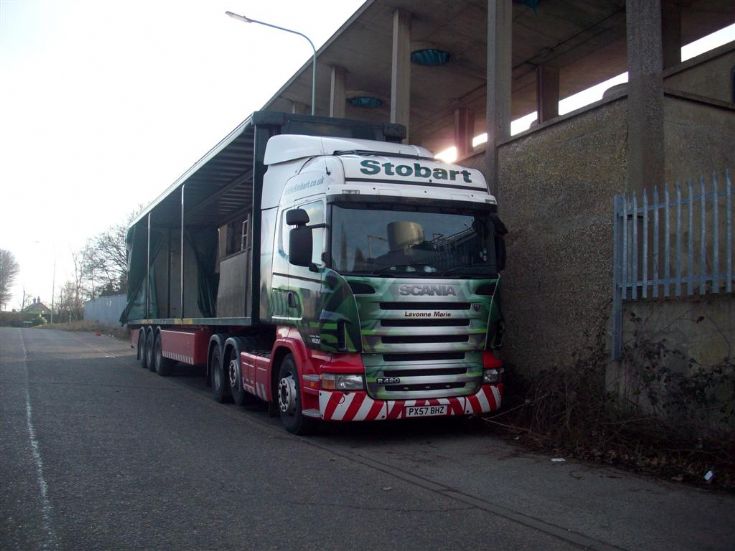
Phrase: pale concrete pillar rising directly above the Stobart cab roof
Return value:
(400, 82)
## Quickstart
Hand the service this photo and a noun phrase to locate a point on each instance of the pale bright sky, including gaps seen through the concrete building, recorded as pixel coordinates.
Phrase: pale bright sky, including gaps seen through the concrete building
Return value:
(104, 104)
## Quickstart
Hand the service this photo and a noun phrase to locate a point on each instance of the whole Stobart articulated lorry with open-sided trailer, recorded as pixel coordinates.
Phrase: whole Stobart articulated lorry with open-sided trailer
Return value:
(324, 267)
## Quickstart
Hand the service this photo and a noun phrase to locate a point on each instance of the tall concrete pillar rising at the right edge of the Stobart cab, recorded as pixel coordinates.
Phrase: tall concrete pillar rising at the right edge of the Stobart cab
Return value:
(499, 79)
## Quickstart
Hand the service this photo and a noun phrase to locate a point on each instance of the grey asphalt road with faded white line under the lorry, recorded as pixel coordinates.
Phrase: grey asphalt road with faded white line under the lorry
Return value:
(97, 453)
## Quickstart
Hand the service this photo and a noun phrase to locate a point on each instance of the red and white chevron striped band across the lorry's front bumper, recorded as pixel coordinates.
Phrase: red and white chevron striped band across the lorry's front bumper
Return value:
(358, 406)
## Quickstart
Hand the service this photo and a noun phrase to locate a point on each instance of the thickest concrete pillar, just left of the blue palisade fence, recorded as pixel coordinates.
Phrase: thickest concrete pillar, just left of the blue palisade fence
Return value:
(645, 94)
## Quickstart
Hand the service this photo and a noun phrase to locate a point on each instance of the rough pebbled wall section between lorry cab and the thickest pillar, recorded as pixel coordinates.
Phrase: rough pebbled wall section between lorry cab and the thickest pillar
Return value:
(555, 194)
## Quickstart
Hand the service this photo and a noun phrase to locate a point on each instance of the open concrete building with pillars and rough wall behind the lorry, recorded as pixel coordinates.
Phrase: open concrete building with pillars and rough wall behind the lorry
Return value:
(452, 70)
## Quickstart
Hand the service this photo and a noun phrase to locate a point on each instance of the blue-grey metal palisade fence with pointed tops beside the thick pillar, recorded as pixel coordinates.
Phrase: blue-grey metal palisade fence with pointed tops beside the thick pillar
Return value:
(671, 243)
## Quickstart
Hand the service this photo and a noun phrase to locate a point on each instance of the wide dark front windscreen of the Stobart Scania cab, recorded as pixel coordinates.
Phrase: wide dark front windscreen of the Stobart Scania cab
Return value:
(412, 243)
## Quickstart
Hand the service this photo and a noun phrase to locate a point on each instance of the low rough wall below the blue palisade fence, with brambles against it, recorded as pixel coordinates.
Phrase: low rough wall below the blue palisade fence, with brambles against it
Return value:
(678, 361)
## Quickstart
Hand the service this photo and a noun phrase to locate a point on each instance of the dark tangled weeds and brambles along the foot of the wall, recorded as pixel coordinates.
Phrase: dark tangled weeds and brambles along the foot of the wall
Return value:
(646, 414)
